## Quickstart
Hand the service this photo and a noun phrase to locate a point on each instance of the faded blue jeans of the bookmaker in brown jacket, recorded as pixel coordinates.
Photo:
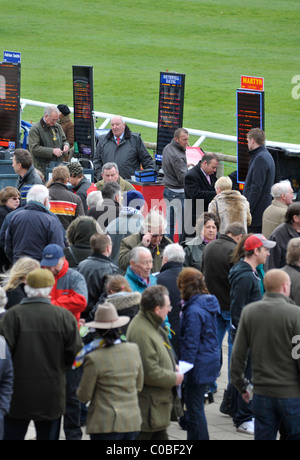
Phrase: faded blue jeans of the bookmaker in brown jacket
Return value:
(174, 212)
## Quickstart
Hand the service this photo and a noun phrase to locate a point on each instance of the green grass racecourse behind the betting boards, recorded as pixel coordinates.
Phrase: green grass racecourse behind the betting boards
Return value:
(129, 43)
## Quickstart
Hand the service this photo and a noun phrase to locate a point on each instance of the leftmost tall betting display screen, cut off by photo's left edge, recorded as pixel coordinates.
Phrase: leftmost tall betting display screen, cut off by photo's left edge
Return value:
(10, 76)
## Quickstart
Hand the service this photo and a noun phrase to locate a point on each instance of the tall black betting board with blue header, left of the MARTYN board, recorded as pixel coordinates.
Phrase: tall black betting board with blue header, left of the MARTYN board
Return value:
(170, 110)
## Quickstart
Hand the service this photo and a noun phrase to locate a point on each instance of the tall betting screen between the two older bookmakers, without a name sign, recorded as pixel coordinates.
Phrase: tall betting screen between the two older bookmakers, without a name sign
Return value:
(84, 135)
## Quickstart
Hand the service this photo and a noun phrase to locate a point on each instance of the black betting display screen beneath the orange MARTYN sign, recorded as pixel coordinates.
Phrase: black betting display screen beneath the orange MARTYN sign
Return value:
(250, 114)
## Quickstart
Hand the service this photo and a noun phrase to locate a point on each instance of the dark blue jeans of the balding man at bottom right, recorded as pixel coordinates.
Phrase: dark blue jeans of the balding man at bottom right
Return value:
(269, 412)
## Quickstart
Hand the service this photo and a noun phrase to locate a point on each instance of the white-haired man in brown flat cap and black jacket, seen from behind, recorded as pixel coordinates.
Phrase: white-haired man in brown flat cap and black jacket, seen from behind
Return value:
(43, 340)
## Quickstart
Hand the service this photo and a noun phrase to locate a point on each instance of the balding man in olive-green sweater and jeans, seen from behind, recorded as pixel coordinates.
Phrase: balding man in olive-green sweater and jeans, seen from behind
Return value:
(269, 329)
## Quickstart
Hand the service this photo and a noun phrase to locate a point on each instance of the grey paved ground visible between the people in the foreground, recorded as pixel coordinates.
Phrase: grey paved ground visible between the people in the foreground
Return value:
(220, 426)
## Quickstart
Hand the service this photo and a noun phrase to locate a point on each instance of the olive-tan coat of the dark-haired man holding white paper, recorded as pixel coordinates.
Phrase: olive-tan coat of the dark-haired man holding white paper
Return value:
(156, 397)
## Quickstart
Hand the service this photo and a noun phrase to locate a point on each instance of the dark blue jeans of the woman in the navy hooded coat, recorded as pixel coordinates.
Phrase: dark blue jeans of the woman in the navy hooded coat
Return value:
(197, 424)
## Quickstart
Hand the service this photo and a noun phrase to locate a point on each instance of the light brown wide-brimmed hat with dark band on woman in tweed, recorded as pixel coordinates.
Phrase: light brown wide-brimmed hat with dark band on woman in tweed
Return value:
(106, 317)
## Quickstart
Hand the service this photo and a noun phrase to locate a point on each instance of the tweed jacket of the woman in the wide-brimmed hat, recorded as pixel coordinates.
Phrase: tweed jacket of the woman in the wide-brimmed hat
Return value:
(111, 380)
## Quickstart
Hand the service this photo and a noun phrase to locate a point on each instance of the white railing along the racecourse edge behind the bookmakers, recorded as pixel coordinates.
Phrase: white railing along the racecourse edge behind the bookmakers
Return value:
(202, 135)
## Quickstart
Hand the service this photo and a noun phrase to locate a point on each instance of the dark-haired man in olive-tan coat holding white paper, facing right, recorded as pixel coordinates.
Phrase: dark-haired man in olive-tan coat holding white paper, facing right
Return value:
(160, 374)
